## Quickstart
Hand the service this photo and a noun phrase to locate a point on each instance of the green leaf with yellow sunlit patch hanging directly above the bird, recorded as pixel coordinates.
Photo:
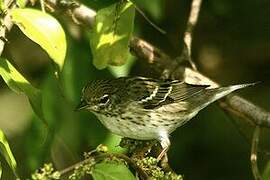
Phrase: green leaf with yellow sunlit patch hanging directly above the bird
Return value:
(111, 33)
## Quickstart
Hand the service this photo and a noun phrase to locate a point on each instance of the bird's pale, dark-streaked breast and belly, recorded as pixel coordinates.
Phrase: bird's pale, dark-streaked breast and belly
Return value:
(138, 123)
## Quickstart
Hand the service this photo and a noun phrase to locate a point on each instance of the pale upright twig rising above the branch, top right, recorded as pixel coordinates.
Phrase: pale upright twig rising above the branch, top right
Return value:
(192, 21)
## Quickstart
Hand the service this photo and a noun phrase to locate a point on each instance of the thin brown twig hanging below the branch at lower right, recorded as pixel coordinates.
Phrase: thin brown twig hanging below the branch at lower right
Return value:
(253, 155)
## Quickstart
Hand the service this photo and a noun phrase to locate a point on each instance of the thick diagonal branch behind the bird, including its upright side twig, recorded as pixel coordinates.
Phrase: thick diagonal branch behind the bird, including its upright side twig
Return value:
(163, 64)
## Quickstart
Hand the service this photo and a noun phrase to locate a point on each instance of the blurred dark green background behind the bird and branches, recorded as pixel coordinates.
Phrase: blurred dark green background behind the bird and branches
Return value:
(231, 45)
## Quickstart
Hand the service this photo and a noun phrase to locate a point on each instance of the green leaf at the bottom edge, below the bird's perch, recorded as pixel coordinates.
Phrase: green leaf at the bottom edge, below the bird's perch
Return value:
(111, 171)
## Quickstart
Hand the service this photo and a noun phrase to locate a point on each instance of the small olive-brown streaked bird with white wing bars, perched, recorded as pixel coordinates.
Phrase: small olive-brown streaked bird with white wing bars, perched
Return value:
(144, 108)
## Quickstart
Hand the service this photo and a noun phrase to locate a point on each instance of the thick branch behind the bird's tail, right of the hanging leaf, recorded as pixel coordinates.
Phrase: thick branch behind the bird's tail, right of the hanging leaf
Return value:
(162, 62)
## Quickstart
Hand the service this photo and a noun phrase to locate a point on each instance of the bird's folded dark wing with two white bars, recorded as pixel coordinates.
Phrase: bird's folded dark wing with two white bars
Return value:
(152, 94)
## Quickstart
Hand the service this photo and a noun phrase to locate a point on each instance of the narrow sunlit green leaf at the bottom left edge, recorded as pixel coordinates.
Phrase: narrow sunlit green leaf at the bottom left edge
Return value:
(7, 153)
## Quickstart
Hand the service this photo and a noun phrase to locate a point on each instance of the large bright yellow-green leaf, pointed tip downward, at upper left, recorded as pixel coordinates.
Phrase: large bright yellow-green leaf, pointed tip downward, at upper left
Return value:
(43, 29)
